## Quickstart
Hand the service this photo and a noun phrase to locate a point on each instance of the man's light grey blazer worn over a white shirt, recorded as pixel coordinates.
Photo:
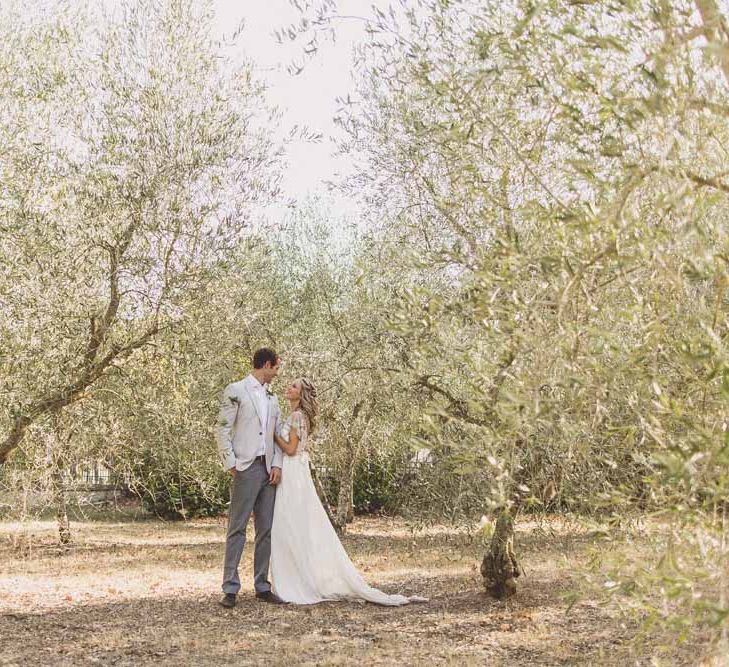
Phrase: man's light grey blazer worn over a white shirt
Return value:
(240, 426)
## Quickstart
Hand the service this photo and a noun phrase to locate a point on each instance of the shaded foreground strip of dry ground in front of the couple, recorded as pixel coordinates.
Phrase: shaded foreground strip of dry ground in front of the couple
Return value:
(459, 625)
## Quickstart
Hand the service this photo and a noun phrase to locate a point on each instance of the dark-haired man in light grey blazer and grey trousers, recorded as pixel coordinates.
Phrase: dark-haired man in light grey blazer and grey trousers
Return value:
(249, 416)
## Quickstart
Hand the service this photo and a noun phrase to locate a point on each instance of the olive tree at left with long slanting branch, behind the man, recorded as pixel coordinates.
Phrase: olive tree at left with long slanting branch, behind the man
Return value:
(132, 154)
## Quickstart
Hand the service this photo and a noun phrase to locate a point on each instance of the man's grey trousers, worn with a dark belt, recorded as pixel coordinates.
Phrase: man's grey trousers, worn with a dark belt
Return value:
(249, 492)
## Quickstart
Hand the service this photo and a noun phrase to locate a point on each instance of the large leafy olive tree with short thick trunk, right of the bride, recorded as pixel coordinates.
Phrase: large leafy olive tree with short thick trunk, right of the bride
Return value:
(560, 165)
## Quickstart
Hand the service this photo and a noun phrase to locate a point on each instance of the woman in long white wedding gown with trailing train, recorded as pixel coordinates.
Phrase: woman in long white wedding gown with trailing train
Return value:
(308, 562)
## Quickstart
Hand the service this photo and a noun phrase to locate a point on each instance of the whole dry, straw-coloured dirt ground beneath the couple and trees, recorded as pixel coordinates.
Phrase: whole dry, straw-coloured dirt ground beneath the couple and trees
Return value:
(146, 592)
